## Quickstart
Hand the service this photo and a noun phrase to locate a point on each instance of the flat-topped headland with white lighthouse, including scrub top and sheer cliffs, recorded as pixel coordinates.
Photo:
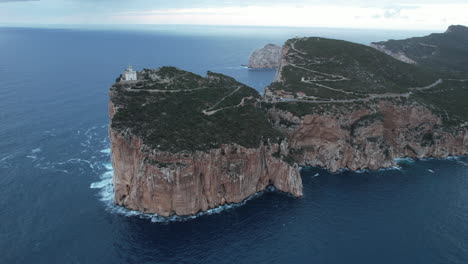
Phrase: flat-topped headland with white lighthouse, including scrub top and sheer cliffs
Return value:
(180, 150)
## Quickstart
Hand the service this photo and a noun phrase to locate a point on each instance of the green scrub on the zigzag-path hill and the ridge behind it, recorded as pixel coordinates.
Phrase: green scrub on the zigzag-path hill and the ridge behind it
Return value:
(346, 73)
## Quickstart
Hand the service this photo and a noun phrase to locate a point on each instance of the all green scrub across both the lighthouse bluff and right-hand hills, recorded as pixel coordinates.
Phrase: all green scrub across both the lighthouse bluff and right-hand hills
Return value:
(174, 110)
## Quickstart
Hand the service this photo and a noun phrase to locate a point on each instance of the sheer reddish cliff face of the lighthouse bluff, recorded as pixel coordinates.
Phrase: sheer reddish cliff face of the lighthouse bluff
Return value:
(167, 183)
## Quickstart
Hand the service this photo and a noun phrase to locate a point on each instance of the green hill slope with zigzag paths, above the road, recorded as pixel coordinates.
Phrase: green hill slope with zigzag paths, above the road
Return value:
(350, 70)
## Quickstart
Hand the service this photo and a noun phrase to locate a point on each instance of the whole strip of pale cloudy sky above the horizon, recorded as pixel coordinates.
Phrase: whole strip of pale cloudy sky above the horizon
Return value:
(388, 14)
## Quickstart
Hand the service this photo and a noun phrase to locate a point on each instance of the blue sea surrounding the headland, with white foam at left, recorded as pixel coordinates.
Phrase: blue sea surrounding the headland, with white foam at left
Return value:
(55, 173)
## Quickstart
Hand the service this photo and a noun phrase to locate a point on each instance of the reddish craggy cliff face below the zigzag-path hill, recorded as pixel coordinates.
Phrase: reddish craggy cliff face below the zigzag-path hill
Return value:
(370, 138)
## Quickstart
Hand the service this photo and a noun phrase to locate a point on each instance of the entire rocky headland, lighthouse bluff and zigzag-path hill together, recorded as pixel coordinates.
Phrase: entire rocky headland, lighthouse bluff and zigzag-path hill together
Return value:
(182, 143)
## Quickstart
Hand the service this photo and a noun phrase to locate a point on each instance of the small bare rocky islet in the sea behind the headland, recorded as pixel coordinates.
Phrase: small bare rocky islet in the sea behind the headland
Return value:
(267, 57)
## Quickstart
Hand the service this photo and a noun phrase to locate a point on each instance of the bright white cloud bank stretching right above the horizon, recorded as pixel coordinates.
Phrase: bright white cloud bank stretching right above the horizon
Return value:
(424, 16)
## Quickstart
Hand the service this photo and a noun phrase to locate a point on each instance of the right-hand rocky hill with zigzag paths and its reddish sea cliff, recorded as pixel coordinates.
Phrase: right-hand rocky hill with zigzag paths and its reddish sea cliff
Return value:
(348, 106)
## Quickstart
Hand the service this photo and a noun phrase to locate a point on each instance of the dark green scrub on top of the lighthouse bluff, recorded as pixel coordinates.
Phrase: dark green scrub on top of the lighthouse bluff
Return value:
(175, 121)
